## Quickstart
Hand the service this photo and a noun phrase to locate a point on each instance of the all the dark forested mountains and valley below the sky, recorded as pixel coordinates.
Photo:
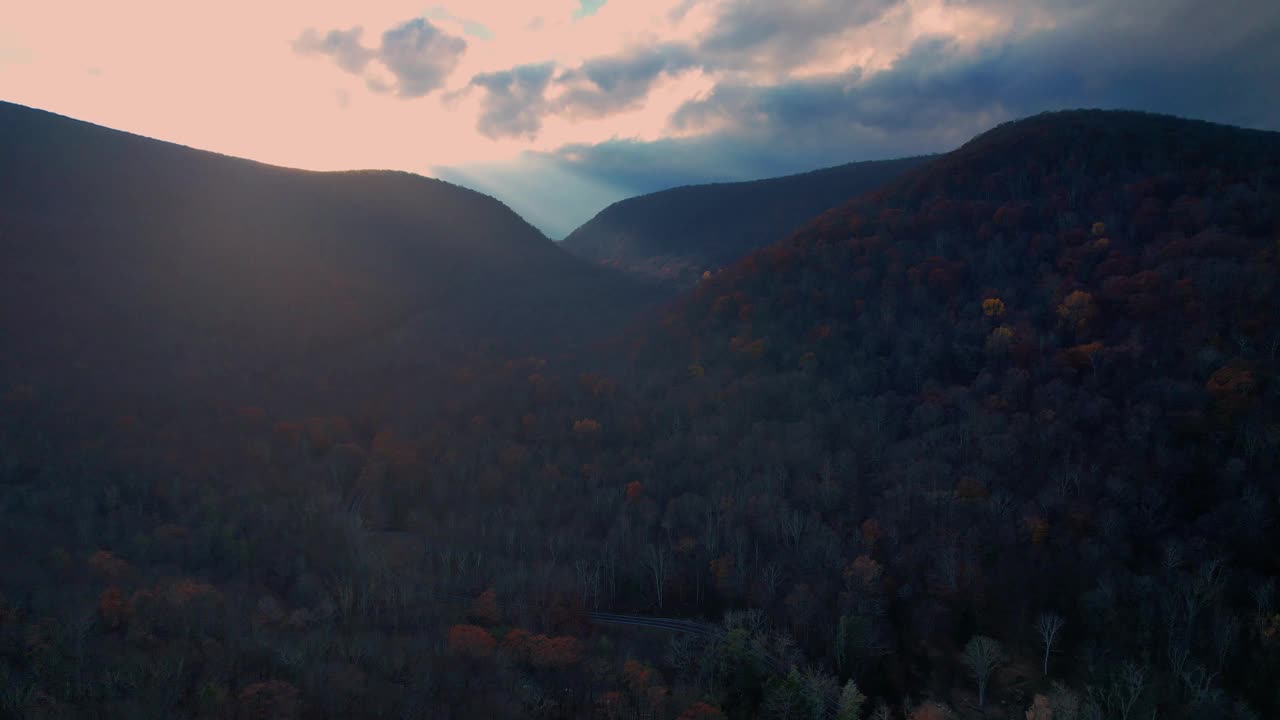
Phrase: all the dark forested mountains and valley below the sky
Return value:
(989, 435)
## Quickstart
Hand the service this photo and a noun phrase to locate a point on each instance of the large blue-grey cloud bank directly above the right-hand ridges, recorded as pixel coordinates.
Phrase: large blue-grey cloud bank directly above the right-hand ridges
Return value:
(1160, 57)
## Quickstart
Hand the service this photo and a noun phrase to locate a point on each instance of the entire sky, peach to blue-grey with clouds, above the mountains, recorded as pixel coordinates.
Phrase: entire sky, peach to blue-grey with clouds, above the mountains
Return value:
(560, 108)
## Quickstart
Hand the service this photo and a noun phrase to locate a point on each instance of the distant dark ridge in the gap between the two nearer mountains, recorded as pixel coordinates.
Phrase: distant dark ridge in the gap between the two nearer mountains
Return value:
(679, 234)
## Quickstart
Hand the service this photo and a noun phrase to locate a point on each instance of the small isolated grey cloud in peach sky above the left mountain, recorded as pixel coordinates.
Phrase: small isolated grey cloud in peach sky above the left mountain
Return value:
(418, 54)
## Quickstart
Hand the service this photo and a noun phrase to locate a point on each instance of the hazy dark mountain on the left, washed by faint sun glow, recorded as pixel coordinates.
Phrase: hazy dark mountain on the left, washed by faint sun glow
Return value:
(134, 263)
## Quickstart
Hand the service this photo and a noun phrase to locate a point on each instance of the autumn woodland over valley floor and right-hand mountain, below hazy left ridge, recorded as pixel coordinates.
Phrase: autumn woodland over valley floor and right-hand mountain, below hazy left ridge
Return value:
(999, 440)
